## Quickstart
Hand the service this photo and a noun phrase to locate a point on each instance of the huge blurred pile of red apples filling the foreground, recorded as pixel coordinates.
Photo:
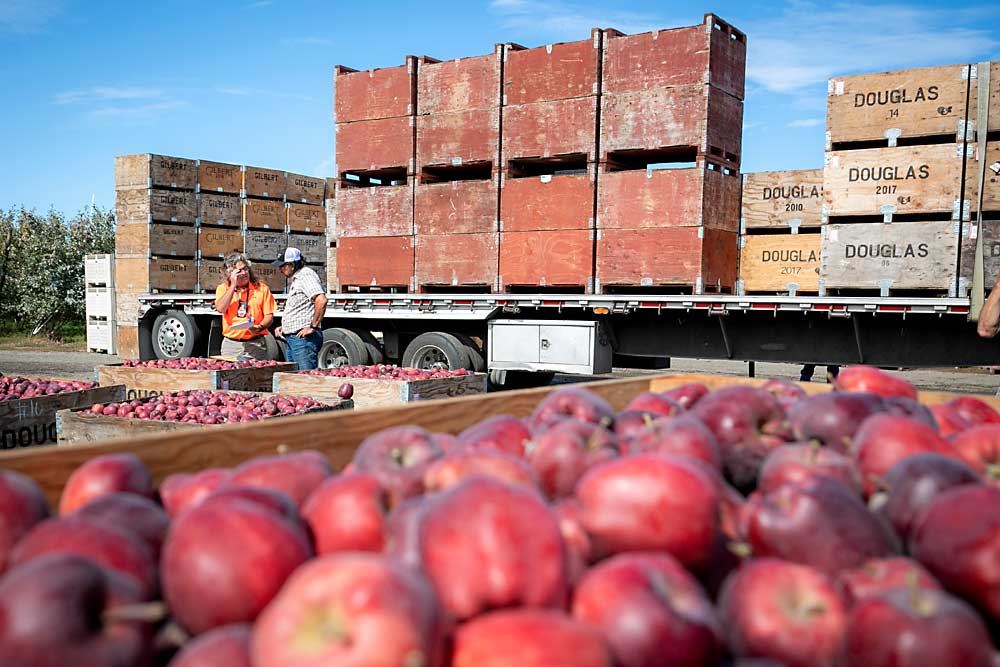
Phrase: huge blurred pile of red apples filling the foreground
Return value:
(743, 526)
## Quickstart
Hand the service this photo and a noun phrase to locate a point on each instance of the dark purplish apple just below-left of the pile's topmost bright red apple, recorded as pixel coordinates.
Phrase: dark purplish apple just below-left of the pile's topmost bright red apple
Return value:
(833, 418)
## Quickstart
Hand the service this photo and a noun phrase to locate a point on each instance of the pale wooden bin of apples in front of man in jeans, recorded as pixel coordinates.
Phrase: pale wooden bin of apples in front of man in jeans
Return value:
(380, 385)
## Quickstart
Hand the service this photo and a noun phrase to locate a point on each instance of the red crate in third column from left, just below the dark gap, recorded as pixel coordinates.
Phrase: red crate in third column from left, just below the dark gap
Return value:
(548, 202)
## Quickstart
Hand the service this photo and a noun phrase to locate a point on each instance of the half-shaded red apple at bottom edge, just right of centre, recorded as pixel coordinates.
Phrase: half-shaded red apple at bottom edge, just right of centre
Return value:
(650, 610)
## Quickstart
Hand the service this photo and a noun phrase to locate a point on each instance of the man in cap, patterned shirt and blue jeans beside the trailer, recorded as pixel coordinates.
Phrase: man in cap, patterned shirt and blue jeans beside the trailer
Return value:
(305, 305)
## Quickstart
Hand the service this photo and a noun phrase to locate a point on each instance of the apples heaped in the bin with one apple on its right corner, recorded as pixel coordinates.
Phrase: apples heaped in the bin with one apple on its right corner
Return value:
(202, 406)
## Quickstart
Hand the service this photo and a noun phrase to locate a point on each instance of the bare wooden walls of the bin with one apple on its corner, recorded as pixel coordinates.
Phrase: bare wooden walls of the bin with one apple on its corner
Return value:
(74, 427)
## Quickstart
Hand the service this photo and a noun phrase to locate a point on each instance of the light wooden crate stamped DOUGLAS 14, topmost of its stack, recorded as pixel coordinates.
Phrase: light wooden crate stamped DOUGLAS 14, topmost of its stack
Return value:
(888, 106)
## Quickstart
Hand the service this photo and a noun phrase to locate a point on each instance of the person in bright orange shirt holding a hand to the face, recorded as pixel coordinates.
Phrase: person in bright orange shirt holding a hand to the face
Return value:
(247, 308)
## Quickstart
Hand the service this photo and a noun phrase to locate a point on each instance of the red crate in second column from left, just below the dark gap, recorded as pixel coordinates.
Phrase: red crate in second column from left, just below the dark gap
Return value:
(456, 207)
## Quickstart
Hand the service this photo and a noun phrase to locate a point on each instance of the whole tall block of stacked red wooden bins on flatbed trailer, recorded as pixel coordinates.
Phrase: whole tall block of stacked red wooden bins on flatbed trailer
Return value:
(606, 164)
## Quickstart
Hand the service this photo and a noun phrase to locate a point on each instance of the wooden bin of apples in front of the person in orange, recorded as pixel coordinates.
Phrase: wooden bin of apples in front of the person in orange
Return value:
(150, 378)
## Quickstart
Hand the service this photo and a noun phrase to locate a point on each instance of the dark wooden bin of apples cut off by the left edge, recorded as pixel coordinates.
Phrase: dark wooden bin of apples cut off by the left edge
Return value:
(28, 406)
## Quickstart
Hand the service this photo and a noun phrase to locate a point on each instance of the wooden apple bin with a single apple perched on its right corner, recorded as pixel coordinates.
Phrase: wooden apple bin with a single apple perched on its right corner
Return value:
(180, 410)
